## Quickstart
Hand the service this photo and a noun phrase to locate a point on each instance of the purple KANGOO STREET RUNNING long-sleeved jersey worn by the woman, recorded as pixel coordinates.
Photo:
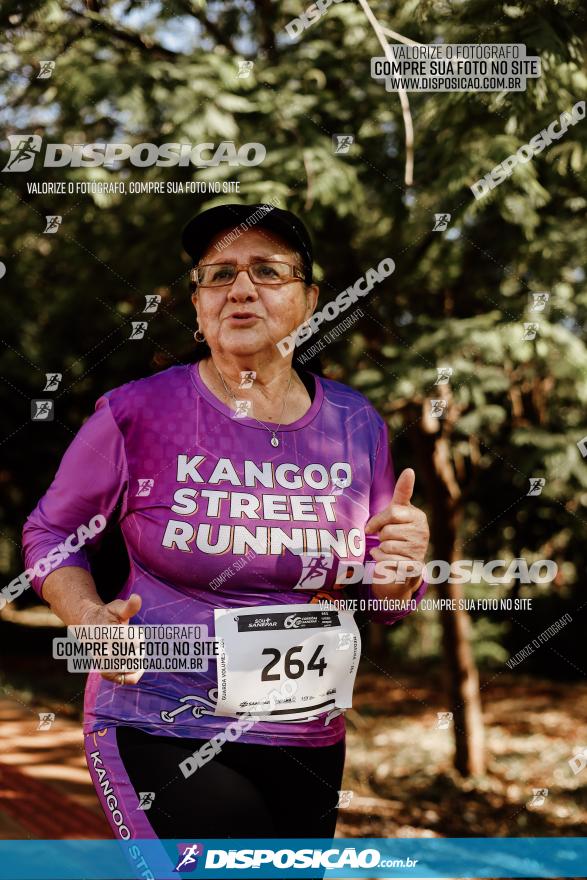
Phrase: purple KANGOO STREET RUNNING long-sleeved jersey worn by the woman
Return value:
(213, 516)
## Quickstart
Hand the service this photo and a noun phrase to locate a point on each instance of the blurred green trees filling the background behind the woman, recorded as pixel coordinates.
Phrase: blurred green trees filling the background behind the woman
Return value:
(155, 73)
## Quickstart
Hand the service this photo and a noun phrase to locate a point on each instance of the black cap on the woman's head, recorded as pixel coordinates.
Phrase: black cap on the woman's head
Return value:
(202, 228)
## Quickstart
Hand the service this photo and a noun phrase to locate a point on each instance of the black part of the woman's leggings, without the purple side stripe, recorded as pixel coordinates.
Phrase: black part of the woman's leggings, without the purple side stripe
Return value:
(246, 790)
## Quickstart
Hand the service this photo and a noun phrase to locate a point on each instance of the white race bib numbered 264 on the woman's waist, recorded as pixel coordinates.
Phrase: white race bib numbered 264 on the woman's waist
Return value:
(285, 662)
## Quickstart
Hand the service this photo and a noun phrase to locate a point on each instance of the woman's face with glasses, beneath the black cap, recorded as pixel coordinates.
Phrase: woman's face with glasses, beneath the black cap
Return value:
(244, 318)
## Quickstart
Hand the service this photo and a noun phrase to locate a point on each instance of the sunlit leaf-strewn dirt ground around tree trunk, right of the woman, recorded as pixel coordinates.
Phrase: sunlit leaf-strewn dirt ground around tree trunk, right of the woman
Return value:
(399, 763)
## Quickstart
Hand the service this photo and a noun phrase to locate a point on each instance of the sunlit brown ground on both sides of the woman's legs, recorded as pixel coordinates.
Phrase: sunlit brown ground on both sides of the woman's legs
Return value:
(398, 767)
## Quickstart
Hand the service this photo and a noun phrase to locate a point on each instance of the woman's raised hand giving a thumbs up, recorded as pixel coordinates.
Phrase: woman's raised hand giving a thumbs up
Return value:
(403, 535)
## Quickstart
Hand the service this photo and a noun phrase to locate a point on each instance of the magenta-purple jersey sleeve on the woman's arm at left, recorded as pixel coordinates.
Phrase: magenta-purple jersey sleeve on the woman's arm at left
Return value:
(87, 492)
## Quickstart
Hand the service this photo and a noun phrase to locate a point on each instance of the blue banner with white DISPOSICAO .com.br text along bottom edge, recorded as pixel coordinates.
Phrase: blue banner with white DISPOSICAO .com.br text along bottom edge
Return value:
(416, 857)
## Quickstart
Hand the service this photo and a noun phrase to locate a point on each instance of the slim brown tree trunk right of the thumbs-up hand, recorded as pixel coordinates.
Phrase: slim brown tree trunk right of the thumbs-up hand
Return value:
(461, 672)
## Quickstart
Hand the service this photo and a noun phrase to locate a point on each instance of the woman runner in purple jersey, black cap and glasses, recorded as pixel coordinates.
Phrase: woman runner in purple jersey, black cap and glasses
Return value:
(239, 485)
